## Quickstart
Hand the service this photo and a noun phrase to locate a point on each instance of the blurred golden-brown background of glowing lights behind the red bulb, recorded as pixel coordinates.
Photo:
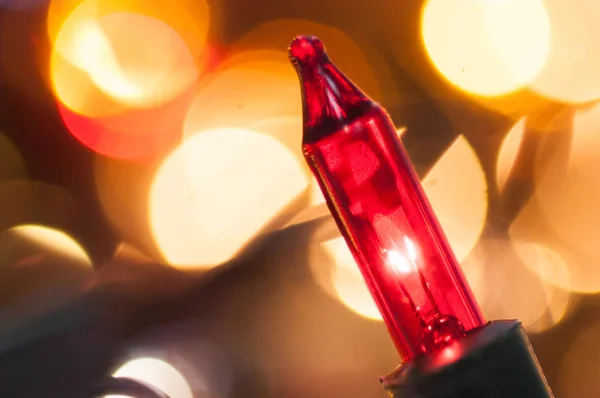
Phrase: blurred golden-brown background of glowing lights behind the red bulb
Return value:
(153, 146)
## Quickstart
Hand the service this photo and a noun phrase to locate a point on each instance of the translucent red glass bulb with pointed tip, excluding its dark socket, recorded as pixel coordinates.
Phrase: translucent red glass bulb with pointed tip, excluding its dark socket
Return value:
(376, 198)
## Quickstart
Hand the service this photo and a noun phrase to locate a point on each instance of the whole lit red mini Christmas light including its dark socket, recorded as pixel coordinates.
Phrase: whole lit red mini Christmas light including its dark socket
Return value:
(377, 201)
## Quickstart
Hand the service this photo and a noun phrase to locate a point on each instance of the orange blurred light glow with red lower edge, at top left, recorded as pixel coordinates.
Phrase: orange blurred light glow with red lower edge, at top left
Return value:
(123, 75)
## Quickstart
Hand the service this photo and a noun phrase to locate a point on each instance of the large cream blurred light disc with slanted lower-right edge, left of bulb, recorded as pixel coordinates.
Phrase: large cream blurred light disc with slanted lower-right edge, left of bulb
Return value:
(217, 191)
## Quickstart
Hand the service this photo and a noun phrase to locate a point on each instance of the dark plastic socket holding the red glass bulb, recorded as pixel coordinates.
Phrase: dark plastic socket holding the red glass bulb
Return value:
(494, 361)
